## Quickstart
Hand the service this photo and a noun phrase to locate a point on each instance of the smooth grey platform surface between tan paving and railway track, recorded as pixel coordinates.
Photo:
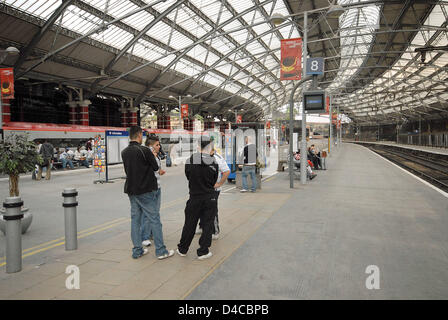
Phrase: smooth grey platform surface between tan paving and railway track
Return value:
(362, 211)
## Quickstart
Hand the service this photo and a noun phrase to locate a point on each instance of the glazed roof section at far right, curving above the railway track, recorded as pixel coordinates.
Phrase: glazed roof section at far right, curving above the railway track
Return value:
(409, 84)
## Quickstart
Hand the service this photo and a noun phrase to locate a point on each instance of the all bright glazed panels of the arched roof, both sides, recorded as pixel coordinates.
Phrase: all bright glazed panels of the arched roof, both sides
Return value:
(231, 45)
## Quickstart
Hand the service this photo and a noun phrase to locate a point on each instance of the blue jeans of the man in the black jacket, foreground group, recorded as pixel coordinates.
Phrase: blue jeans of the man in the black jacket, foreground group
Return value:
(146, 204)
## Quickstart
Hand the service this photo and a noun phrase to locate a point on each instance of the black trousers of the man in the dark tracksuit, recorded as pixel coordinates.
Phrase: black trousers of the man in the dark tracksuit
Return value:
(196, 209)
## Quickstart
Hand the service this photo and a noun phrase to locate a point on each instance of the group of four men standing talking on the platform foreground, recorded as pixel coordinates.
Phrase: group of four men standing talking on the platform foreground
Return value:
(206, 171)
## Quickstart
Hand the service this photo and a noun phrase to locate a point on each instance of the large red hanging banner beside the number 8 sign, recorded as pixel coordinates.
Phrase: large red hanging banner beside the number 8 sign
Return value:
(291, 59)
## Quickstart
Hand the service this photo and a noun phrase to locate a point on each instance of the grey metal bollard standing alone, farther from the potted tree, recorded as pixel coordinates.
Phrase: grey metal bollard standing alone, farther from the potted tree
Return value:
(71, 229)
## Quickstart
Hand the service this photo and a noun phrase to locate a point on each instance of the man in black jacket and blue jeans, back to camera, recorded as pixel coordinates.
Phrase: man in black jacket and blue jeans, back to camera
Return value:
(141, 186)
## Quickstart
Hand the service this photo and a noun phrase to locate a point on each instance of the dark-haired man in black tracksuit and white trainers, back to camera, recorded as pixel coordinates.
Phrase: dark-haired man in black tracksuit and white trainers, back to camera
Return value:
(201, 171)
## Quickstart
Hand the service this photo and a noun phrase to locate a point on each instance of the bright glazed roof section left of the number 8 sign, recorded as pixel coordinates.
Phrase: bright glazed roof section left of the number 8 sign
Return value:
(215, 47)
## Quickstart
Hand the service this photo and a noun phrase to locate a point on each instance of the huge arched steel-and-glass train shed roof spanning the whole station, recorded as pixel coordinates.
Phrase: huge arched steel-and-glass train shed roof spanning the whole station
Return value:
(385, 61)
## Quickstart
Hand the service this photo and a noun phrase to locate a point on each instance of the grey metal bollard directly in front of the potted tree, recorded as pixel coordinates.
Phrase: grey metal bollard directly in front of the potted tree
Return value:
(13, 232)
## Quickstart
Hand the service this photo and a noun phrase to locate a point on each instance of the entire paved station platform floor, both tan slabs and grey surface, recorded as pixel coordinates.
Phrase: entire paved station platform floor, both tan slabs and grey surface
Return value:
(311, 242)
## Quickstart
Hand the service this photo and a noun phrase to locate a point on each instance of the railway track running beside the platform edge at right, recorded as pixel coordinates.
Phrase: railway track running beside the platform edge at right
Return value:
(431, 168)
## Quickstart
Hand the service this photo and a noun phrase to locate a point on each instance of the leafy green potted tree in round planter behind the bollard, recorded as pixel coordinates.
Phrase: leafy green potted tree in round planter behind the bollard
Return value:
(18, 155)
